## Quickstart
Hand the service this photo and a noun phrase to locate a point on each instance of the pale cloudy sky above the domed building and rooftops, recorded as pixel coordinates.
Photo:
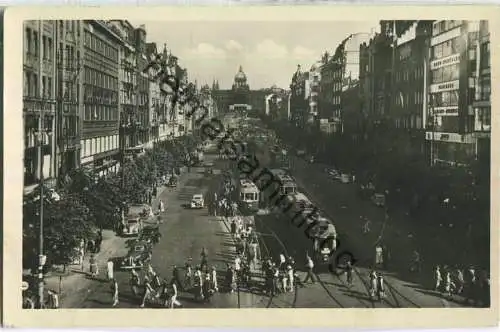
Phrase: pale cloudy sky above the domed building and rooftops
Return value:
(269, 52)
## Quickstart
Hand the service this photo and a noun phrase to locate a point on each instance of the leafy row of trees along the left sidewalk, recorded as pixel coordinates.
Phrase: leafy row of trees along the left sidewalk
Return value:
(86, 203)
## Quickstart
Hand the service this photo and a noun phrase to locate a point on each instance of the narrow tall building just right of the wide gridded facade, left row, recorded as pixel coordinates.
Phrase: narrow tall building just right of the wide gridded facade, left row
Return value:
(128, 83)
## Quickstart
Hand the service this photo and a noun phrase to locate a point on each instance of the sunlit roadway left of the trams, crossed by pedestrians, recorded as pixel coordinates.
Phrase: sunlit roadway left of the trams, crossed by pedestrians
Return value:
(184, 232)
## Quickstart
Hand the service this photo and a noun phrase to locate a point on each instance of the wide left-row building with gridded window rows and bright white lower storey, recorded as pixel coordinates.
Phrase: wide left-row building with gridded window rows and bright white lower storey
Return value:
(100, 113)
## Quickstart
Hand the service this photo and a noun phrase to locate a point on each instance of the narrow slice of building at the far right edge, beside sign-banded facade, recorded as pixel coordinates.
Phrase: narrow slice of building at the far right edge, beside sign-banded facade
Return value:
(482, 102)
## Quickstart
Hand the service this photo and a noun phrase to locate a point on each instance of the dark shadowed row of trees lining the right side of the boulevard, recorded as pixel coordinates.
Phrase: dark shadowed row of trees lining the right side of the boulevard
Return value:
(394, 165)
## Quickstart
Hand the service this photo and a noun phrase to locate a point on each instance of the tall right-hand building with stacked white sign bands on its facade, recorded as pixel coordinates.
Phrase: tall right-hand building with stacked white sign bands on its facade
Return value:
(453, 69)
